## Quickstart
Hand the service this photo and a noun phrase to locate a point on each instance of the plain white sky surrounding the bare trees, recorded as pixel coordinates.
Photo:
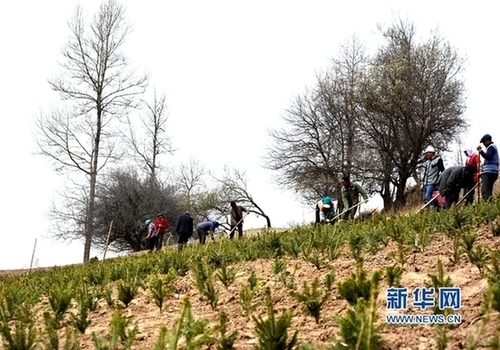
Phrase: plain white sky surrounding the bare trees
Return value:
(229, 69)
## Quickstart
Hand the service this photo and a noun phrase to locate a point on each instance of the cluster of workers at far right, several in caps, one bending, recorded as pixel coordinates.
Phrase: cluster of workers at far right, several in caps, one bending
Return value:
(448, 183)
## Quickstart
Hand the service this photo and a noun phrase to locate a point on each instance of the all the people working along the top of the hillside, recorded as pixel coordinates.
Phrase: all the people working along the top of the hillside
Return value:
(437, 181)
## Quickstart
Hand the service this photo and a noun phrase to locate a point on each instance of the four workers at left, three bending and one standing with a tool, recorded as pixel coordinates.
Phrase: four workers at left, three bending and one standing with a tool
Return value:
(185, 227)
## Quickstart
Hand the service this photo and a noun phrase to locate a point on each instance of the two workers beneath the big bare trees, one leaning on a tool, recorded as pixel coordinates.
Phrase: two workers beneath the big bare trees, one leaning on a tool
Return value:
(350, 192)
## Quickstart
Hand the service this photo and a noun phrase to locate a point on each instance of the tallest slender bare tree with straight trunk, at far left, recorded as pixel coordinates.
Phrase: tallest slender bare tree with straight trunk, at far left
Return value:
(98, 86)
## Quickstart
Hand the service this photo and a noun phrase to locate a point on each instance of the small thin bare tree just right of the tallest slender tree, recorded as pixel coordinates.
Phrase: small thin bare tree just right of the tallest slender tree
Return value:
(151, 141)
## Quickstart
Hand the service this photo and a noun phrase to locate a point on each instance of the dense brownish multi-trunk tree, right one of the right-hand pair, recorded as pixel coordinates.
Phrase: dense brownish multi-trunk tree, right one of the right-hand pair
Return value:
(413, 96)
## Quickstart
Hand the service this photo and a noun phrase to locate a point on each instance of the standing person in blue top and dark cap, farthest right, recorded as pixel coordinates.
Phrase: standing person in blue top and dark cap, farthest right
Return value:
(490, 166)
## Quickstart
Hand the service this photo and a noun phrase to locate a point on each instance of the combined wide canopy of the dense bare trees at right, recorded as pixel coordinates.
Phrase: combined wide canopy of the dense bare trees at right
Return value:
(371, 117)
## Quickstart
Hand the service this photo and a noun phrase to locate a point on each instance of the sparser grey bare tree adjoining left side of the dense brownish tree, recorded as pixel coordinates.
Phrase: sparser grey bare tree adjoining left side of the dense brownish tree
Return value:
(321, 140)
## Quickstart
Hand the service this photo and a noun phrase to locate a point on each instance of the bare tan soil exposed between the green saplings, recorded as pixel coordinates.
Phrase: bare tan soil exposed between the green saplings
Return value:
(147, 317)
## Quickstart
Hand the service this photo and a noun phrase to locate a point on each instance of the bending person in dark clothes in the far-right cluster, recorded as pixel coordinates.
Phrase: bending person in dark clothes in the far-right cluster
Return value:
(452, 180)
